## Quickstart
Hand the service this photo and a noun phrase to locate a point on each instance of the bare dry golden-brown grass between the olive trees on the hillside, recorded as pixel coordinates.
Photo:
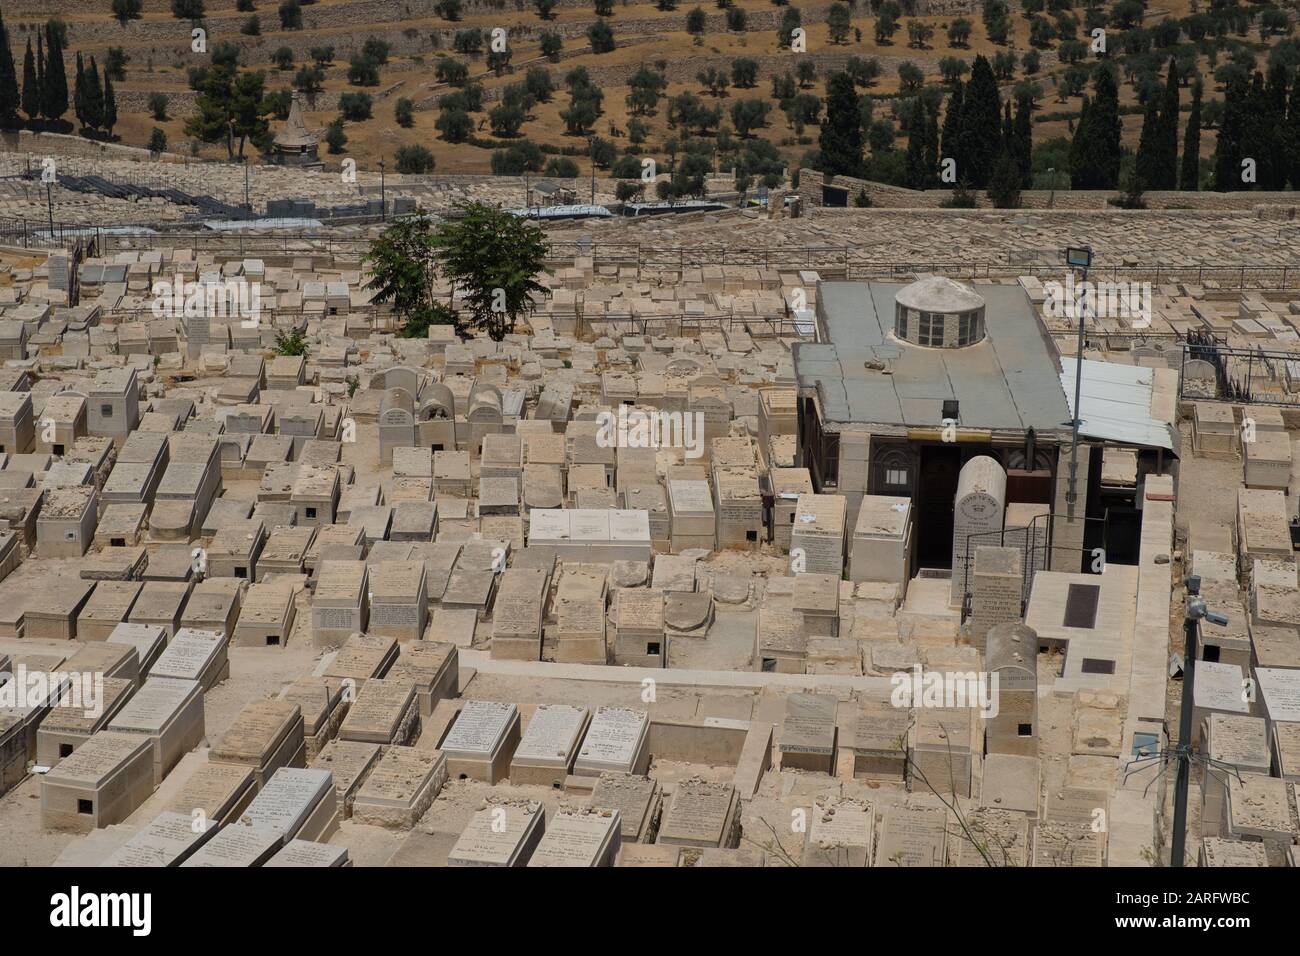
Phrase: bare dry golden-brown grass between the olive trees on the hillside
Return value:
(158, 64)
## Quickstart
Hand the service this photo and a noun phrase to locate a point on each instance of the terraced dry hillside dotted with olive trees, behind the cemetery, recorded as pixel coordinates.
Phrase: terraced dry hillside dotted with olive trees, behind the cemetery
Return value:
(423, 44)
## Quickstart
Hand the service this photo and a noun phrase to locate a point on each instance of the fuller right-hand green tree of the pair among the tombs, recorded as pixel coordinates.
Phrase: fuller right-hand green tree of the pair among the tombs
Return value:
(495, 259)
